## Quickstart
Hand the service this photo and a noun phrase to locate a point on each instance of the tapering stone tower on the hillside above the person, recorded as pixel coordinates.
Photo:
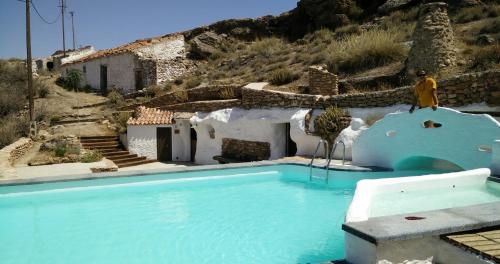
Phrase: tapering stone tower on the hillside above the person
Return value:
(433, 46)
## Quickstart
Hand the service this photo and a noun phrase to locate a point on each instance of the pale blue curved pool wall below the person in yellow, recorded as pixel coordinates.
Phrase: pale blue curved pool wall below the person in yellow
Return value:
(464, 139)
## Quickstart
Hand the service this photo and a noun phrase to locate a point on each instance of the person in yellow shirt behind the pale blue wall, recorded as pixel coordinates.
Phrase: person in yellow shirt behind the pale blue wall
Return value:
(425, 92)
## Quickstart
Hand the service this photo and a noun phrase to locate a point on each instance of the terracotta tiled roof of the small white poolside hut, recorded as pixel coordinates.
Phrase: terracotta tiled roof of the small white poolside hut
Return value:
(151, 116)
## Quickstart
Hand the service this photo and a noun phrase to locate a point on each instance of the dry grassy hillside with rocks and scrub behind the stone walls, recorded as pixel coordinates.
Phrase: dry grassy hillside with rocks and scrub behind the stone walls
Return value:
(366, 43)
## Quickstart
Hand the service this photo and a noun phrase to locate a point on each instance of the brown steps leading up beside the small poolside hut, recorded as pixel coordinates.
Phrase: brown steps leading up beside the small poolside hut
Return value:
(111, 149)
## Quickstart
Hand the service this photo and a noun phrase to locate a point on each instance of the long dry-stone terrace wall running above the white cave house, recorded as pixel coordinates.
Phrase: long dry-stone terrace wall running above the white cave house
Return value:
(456, 91)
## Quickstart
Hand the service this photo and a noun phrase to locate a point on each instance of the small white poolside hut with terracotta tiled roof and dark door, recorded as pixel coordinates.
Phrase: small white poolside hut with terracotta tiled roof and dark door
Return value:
(159, 135)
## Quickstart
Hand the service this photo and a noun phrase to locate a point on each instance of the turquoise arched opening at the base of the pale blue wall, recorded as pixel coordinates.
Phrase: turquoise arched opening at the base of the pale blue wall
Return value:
(426, 163)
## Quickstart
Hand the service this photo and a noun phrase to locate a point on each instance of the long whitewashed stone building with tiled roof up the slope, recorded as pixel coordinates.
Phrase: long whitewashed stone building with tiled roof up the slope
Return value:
(132, 66)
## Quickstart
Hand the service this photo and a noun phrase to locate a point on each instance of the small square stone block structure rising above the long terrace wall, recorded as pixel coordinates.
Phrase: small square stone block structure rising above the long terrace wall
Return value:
(322, 82)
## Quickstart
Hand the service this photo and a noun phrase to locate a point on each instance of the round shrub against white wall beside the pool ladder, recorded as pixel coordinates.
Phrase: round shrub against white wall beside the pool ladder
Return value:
(330, 123)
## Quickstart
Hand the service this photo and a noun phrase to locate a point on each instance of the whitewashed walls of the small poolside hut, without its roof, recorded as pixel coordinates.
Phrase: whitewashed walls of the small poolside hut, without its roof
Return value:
(142, 140)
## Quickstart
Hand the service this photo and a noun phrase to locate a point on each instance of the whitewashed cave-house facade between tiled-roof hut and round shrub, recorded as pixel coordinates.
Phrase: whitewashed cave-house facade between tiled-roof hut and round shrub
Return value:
(264, 125)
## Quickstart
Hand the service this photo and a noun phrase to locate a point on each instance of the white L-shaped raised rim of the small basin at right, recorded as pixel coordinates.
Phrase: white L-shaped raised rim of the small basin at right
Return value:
(359, 210)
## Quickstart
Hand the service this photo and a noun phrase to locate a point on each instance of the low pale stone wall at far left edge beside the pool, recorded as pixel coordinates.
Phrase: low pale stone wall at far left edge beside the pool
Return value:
(12, 152)
